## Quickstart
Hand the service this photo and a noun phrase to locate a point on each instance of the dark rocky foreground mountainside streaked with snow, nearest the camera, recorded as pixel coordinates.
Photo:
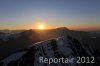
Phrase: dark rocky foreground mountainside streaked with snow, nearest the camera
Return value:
(66, 47)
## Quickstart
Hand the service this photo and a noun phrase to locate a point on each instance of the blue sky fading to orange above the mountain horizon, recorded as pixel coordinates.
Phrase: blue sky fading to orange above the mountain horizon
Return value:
(27, 14)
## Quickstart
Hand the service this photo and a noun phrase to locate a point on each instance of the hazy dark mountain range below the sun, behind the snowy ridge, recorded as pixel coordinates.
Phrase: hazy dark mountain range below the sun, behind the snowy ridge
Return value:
(13, 41)
